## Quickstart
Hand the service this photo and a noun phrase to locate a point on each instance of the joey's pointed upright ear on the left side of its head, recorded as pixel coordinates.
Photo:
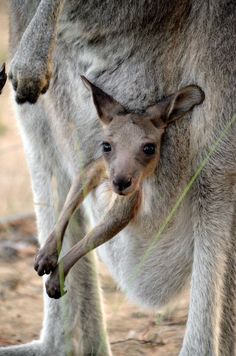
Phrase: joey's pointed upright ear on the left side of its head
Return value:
(106, 106)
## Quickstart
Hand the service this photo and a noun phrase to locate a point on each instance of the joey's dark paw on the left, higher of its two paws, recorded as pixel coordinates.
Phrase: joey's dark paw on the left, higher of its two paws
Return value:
(45, 262)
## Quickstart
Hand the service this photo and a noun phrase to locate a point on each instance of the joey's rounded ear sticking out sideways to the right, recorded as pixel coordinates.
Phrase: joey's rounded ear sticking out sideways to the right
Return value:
(176, 105)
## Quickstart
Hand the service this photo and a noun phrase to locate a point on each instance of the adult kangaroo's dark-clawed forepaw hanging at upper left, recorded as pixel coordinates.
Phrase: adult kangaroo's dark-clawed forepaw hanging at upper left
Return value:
(29, 80)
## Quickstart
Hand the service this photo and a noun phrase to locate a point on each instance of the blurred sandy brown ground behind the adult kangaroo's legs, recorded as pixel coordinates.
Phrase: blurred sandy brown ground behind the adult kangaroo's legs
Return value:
(132, 331)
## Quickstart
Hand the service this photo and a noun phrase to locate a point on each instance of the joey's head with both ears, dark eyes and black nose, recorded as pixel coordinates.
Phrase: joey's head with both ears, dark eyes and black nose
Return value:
(132, 141)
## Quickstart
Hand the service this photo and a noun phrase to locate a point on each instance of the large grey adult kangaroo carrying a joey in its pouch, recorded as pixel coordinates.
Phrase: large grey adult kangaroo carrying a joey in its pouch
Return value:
(137, 51)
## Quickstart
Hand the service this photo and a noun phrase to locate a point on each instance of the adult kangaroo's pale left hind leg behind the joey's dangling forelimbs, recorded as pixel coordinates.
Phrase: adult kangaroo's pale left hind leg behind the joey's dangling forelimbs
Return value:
(75, 323)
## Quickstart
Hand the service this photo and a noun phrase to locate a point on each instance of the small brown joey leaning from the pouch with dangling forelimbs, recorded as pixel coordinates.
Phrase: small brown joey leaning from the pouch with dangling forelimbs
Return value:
(131, 152)
